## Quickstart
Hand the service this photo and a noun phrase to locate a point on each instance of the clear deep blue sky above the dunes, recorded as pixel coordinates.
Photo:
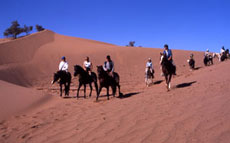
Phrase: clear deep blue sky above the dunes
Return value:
(182, 24)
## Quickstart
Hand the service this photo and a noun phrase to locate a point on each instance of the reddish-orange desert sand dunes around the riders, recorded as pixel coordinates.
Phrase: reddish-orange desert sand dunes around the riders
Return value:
(196, 110)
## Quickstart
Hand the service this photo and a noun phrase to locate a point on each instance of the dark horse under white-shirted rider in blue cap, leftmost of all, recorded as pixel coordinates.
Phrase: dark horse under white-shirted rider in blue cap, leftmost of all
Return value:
(64, 78)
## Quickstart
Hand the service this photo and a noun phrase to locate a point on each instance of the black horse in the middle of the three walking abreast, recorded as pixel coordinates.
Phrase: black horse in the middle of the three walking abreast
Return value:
(84, 79)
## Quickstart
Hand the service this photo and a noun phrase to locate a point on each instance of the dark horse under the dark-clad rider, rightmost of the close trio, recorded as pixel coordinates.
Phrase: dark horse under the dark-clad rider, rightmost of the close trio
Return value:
(107, 81)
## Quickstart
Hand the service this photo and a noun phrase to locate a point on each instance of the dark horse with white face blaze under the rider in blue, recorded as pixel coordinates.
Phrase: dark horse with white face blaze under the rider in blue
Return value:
(168, 69)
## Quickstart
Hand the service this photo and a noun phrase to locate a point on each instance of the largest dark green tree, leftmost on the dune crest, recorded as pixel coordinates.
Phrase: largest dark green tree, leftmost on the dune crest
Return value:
(13, 30)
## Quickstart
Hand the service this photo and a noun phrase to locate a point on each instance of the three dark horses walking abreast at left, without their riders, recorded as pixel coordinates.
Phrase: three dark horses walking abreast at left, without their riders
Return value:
(84, 78)
